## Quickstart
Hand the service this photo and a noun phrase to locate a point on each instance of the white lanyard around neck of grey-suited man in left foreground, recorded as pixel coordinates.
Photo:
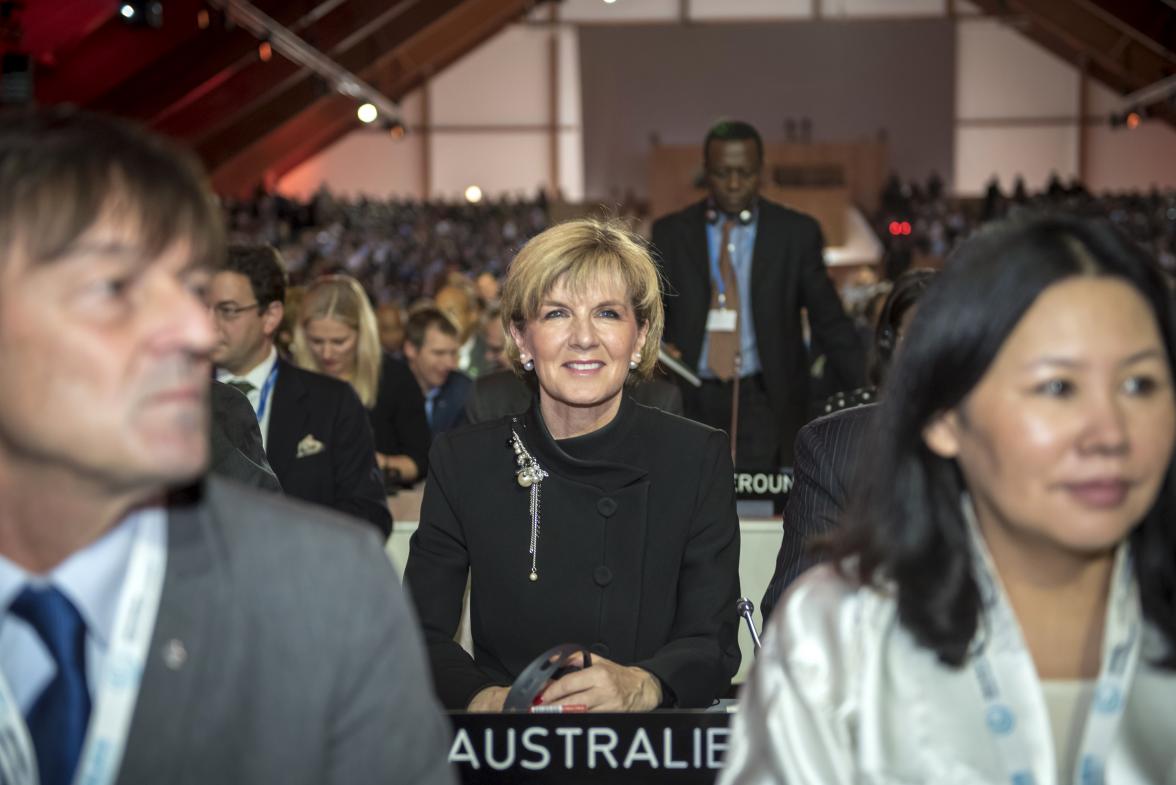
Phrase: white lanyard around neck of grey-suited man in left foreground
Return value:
(118, 688)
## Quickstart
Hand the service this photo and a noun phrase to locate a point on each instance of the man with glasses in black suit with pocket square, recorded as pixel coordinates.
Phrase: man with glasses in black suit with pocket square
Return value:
(315, 430)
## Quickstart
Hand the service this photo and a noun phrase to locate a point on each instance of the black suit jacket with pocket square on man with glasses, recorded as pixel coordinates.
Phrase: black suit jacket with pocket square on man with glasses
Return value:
(337, 468)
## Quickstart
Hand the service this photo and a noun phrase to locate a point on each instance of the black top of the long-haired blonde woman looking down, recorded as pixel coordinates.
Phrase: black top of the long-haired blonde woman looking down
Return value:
(398, 418)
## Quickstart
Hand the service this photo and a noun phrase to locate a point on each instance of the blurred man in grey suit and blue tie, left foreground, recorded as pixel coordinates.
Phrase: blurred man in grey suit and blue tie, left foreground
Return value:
(162, 626)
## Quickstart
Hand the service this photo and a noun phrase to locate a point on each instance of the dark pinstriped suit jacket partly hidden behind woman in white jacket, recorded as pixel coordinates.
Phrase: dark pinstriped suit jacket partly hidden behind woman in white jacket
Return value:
(827, 457)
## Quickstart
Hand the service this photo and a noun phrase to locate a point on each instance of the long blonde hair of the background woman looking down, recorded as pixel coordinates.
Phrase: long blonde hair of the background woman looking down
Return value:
(343, 299)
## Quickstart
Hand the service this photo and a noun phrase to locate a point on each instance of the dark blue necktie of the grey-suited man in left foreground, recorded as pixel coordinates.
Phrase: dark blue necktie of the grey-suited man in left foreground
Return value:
(61, 715)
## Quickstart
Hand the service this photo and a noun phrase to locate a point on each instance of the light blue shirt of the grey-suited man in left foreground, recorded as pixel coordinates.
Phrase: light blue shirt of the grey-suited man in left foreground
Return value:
(92, 580)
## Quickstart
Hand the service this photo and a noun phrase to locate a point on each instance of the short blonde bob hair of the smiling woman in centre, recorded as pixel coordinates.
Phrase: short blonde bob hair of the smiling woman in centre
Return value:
(582, 254)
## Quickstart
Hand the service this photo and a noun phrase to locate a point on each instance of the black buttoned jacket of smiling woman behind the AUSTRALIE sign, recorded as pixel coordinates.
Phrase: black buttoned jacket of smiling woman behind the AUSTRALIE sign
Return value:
(638, 555)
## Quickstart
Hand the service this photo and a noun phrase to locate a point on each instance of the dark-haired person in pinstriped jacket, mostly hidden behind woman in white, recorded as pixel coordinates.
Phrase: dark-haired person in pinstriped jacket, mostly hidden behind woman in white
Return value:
(828, 449)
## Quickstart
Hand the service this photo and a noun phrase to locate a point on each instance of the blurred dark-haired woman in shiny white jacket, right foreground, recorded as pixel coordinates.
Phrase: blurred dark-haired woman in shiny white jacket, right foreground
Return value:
(1004, 609)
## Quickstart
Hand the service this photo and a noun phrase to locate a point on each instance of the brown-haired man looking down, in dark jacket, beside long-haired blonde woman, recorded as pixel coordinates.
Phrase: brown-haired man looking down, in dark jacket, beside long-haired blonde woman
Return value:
(431, 350)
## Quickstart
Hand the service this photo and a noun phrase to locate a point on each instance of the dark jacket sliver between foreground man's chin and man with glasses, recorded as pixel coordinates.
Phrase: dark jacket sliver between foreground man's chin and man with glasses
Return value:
(236, 440)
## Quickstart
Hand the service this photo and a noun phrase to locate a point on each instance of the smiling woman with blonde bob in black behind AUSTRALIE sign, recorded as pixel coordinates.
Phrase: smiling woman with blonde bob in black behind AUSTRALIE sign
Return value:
(590, 519)
